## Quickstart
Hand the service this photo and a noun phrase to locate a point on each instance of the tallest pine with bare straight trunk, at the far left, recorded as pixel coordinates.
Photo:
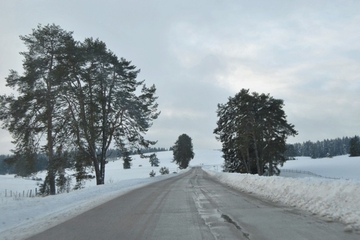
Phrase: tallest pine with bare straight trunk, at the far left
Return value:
(35, 110)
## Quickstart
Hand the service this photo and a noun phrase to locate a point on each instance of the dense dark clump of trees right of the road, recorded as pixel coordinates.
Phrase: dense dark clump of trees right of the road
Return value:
(253, 130)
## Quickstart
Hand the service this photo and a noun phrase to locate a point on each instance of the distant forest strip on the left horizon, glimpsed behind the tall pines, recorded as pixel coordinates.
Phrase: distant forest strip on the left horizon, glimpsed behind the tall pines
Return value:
(21, 168)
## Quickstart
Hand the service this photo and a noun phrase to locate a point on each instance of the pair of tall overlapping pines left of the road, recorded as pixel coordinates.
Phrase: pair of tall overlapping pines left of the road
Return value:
(75, 96)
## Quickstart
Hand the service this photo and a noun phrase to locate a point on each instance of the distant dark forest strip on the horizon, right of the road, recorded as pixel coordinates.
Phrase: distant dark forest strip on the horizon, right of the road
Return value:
(320, 149)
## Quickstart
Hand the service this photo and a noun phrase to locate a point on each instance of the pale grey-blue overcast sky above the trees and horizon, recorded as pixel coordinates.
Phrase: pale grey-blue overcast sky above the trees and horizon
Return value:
(198, 53)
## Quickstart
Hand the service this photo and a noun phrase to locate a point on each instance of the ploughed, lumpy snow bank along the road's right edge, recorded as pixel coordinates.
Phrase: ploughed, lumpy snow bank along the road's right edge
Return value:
(334, 199)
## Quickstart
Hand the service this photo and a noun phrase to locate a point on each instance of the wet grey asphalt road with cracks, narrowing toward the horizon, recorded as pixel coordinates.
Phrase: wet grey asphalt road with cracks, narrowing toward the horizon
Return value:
(194, 206)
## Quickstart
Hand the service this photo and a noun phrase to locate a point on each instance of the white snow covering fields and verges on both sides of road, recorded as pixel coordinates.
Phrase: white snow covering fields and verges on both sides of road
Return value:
(328, 187)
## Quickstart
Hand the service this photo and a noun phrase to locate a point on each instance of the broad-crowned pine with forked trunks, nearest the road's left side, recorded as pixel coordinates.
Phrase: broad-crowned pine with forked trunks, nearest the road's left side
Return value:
(106, 103)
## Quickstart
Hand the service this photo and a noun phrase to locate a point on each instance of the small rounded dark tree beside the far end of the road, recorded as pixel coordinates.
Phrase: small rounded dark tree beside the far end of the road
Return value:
(183, 151)
